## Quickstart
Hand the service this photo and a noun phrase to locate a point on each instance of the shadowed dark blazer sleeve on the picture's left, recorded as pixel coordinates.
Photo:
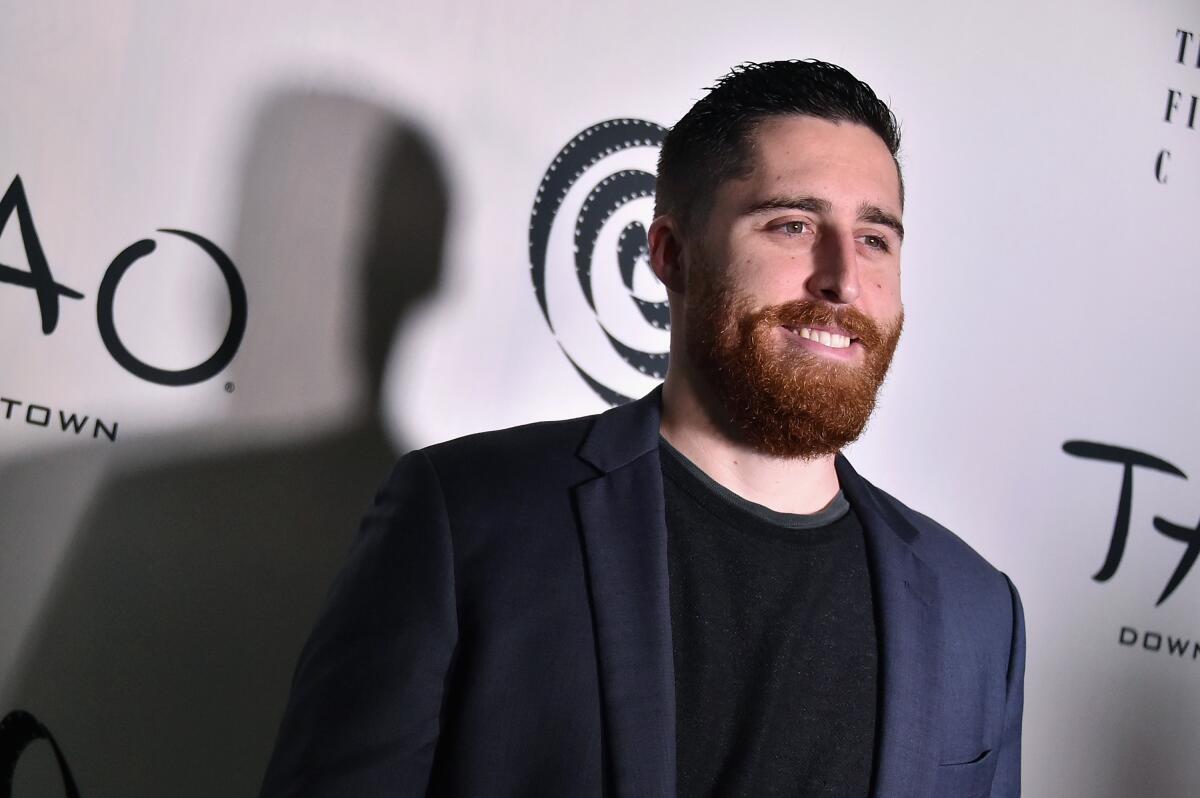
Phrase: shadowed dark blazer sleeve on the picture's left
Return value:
(363, 718)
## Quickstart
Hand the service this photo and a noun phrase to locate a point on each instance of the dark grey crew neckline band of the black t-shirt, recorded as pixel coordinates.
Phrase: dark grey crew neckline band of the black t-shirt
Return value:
(739, 511)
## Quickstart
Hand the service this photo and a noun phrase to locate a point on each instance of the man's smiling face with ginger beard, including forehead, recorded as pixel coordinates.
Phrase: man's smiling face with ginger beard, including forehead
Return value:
(793, 304)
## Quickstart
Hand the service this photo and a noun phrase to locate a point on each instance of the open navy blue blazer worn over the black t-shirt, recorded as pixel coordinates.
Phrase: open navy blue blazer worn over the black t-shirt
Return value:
(503, 628)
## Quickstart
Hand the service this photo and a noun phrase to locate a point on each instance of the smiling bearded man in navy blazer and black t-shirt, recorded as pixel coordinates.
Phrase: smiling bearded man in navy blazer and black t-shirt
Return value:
(694, 593)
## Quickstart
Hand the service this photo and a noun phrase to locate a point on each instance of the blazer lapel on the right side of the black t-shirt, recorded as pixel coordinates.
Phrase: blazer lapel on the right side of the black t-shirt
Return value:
(911, 645)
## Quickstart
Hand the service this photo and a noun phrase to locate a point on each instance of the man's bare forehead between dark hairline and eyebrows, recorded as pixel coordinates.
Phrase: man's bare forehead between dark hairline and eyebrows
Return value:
(842, 161)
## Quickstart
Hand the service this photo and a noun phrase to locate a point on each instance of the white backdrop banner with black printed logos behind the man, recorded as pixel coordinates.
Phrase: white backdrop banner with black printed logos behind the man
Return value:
(250, 253)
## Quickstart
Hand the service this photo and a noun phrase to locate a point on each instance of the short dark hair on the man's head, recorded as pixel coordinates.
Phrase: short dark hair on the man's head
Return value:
(712, 143)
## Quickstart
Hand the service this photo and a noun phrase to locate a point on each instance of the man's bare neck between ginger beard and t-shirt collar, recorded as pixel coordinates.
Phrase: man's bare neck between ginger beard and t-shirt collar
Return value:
(691, 425)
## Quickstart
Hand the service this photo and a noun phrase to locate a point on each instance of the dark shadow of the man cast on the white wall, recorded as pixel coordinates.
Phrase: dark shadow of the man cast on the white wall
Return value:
(164, 650)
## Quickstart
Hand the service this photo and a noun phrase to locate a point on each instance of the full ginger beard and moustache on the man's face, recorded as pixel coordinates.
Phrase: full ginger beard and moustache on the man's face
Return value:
(781, 399)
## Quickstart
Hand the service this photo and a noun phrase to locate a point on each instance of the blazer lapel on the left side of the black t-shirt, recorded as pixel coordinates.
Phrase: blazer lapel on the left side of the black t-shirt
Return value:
(622, 515)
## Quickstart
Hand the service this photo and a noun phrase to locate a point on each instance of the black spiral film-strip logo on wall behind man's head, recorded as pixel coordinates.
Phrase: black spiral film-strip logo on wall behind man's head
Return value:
(592, 159)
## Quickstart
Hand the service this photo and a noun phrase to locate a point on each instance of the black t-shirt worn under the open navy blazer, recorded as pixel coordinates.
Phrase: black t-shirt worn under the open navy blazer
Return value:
(776, 655)
